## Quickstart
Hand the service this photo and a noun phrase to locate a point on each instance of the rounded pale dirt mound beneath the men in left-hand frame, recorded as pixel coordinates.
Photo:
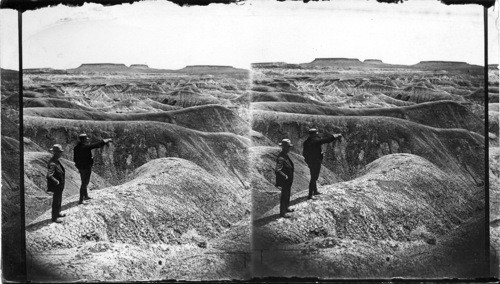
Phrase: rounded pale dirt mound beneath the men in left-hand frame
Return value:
(130, 224)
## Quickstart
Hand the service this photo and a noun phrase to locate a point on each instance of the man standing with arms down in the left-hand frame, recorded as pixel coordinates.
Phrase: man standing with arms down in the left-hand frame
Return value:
(55, 181)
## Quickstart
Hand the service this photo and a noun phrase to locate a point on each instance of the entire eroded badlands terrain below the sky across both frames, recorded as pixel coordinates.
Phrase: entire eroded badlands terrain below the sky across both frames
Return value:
(186, 189)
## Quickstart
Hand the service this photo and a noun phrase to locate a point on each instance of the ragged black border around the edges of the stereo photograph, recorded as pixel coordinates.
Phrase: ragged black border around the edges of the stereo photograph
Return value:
(24, 5)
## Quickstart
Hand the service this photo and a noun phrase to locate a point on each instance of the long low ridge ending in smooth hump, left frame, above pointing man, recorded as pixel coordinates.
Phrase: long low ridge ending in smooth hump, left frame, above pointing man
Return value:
(208, 118)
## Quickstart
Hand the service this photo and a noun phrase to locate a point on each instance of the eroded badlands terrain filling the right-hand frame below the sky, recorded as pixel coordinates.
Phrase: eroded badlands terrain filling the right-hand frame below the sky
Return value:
(403, 191)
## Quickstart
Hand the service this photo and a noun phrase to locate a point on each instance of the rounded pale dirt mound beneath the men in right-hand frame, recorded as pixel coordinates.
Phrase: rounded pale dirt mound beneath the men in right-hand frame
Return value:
(377, 224)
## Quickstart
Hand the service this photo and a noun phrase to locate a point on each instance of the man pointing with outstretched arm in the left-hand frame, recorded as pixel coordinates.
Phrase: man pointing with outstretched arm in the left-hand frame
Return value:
(82, 156)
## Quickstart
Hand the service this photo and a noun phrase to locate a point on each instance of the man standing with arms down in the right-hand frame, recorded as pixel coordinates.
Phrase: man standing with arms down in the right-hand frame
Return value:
(284, 176)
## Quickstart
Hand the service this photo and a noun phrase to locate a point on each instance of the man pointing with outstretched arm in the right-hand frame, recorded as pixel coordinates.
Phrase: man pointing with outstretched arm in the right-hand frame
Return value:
(314, 156)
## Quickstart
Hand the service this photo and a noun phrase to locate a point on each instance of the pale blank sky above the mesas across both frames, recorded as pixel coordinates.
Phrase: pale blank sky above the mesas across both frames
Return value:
(164, 35)
